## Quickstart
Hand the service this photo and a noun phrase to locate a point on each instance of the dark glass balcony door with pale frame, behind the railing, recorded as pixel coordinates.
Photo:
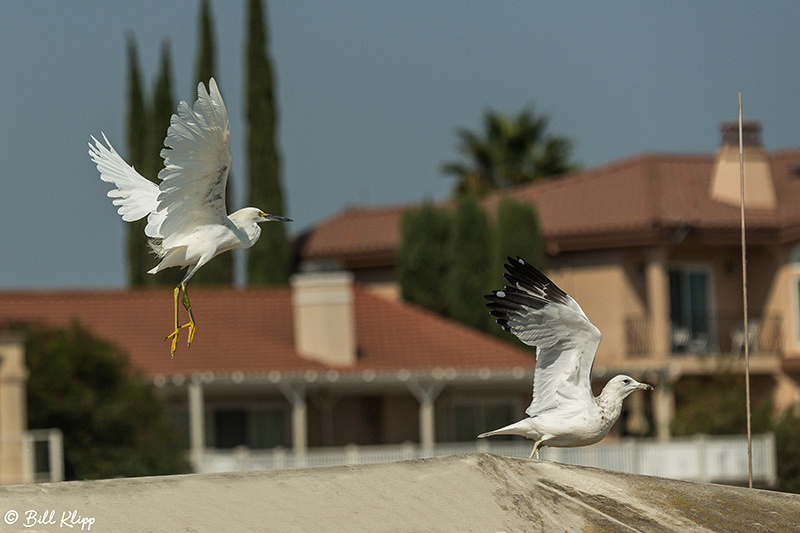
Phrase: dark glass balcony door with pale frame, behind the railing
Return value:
(690, 310)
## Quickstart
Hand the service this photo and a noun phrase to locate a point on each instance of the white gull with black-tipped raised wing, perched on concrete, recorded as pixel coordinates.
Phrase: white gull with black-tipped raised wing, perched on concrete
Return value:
(564, 412)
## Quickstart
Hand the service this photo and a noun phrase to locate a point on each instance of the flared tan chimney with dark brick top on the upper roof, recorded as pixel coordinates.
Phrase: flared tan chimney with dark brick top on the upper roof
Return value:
(759, 190)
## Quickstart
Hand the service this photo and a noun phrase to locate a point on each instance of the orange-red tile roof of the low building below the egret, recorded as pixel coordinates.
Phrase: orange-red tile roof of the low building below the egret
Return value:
(251, 331)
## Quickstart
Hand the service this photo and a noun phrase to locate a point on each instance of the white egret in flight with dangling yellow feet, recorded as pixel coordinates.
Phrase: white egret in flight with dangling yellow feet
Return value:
(187, 221)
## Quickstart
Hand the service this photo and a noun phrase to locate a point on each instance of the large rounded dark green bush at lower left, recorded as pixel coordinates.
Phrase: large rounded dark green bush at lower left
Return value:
(113, 423)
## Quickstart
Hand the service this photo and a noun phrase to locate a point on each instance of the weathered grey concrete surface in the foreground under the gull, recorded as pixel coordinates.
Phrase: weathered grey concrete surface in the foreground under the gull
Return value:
(467, 493)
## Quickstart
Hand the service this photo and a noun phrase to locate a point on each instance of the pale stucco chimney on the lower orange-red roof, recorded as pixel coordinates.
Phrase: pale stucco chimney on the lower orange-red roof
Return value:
(324, 319)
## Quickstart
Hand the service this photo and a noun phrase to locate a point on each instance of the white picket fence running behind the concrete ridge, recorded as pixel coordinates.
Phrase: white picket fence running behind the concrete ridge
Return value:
(720, 459)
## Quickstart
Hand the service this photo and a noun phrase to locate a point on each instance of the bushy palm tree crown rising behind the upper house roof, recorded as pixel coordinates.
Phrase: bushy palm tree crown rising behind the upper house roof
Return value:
(509, 152)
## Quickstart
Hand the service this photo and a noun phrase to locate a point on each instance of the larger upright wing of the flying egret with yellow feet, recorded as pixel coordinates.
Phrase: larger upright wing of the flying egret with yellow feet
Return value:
(197, 160)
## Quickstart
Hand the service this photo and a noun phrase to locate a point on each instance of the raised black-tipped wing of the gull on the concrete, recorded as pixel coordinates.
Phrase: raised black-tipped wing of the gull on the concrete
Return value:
(540, 314)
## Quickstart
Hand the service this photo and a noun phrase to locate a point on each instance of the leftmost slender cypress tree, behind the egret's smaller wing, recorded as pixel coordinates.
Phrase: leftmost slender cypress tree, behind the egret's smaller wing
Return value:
(136, 241)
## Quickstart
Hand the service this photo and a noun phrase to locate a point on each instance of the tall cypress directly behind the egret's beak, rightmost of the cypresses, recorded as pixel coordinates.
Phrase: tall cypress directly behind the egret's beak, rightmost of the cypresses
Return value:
(268, 260)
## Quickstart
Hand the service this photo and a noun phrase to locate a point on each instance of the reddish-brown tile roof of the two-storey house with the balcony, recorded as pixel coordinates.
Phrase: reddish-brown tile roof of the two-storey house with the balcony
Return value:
(645, 193)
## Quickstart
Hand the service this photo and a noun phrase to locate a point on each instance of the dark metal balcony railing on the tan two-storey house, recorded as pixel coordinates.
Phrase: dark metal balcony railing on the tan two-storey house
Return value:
(723, 334)
